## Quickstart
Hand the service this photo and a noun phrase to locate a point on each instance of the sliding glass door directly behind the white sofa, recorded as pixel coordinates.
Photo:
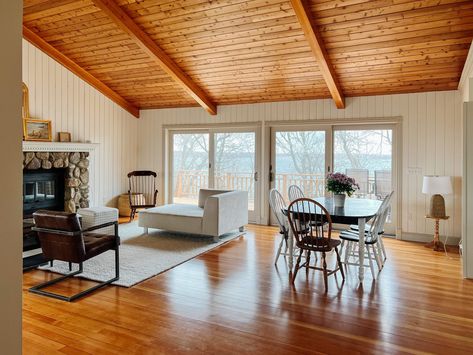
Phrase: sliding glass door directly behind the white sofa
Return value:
(221, 159)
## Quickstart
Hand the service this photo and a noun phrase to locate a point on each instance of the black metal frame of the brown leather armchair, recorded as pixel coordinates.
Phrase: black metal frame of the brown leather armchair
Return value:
(38, 289)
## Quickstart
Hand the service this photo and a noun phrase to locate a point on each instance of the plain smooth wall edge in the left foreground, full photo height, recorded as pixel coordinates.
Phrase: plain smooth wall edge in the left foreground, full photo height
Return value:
(10, 156)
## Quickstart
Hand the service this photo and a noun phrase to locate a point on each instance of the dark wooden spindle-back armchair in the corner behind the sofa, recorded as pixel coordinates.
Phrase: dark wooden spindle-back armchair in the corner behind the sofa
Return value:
(142, 191)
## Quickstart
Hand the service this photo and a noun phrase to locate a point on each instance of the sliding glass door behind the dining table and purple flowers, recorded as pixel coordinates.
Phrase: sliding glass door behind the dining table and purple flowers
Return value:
(304, 155)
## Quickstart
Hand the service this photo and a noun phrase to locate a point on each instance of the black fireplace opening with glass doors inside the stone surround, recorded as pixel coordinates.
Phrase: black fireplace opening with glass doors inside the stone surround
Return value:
(43, 189)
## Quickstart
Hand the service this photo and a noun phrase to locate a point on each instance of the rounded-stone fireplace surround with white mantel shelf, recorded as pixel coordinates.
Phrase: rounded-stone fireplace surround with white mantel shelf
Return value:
(74, 157)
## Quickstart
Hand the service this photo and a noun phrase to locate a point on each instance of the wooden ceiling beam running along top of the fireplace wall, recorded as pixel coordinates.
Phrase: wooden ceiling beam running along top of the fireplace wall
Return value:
(40, 43)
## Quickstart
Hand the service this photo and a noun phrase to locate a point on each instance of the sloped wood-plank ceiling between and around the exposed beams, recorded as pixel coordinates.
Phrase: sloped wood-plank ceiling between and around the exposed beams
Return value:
(243, 51)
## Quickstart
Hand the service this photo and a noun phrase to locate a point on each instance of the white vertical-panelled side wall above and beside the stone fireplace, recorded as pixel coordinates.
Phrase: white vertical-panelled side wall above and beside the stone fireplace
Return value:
(74, 106)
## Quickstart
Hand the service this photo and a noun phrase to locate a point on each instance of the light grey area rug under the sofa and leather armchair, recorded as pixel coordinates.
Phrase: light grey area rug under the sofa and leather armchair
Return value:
(144, 256)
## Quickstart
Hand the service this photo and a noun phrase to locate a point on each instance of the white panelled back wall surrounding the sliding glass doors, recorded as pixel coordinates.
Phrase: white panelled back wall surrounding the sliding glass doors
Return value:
(431, 139)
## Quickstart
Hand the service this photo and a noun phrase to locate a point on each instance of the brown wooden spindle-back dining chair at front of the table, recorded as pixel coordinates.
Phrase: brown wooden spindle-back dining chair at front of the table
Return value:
(311, 225)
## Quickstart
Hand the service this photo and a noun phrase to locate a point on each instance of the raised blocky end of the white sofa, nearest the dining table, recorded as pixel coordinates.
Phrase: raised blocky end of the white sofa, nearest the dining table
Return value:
(225, 212)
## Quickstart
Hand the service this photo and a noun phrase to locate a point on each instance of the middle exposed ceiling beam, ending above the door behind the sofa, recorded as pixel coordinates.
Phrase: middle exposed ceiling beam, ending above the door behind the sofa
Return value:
(147, 44)
